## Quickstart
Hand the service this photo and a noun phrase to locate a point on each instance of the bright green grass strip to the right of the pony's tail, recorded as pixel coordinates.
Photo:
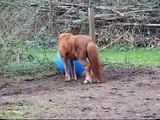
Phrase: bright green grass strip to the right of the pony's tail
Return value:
(138, 57)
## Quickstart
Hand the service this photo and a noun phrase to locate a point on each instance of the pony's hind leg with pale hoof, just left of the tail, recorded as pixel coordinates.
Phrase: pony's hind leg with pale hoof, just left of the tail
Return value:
(87, 66)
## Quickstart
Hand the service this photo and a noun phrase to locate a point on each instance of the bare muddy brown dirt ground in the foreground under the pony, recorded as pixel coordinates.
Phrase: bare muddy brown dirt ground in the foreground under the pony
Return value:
(124, 94)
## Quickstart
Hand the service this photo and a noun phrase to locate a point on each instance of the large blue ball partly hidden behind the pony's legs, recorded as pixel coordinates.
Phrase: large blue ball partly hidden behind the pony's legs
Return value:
(78, 66)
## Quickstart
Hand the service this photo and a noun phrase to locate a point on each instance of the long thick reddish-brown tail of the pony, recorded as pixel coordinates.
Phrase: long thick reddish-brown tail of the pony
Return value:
(95, 61)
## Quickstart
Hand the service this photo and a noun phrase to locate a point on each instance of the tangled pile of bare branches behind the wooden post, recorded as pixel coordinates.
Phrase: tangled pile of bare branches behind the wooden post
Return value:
(133, 23)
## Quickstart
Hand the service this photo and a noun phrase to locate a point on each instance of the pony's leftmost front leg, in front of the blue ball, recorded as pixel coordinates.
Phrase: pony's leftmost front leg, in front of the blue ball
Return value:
(67, 75)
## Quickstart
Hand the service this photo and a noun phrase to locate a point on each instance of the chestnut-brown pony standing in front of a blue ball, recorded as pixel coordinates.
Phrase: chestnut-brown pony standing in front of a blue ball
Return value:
(80, 47)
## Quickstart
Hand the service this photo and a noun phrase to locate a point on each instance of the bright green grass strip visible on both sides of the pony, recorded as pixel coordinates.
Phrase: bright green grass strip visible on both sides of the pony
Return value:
(138, 56)
